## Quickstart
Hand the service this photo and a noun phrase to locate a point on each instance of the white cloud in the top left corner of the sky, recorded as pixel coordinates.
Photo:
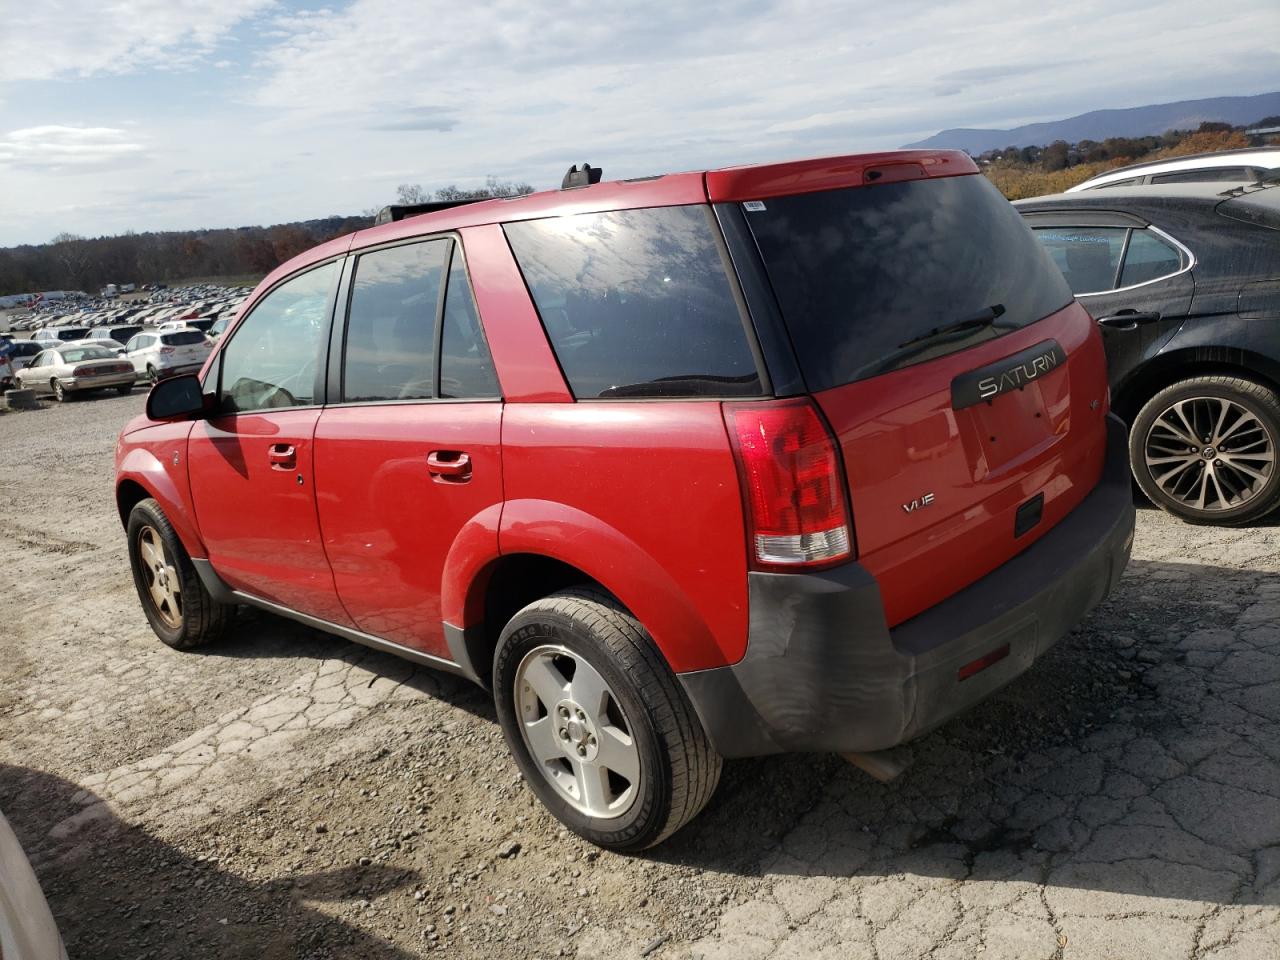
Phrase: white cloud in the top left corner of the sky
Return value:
(58, 39)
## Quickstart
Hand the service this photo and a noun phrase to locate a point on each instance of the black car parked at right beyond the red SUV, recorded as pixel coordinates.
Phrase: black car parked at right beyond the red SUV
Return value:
(1186, 284)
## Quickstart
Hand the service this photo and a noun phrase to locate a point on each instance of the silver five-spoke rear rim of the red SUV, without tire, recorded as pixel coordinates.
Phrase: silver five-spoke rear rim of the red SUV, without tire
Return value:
(577, 732)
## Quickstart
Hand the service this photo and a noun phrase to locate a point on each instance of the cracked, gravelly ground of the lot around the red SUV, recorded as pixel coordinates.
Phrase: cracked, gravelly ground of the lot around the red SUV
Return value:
(292, 796)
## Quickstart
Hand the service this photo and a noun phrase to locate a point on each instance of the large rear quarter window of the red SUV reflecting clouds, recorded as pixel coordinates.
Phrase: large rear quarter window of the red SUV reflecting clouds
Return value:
(638, 304)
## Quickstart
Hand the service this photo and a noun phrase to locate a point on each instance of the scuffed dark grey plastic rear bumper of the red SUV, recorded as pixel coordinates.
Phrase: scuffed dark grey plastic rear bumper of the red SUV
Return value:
(824, 673)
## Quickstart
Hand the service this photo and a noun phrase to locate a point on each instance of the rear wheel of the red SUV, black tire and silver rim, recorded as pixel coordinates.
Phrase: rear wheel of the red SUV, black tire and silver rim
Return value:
(676, 769)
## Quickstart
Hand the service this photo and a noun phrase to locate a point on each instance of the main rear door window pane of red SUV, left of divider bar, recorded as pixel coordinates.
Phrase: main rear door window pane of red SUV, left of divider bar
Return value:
(391, 327)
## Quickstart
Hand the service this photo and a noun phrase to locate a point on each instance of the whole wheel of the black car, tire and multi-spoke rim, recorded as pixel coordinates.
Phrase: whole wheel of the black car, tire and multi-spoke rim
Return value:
(1227, 472)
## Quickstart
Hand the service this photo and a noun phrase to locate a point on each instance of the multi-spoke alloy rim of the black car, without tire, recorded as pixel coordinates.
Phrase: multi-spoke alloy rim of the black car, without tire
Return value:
(1210, 454)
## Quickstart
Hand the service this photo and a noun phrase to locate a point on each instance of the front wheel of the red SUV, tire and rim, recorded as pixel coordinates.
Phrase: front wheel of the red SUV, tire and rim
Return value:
(190, 618)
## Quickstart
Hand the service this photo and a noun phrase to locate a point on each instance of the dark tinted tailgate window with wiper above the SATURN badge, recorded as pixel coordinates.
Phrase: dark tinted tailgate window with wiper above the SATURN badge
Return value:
(879, 278)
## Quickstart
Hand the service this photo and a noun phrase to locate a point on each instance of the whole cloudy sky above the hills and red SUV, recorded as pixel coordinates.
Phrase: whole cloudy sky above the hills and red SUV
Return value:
(179, 115)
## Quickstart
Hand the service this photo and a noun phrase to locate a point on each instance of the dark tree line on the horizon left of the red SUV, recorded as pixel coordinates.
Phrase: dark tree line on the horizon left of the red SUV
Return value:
(75, 263)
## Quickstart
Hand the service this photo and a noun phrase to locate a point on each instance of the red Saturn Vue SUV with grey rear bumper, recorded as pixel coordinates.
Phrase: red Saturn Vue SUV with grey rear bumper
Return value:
(806, 456)
